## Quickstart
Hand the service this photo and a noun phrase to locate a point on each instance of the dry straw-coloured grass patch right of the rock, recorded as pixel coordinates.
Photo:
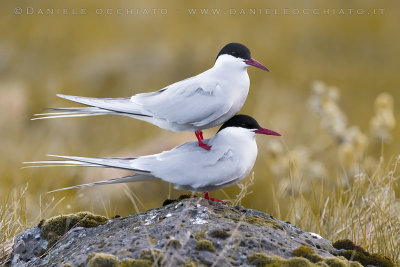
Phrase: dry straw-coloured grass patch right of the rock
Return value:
(367, 211)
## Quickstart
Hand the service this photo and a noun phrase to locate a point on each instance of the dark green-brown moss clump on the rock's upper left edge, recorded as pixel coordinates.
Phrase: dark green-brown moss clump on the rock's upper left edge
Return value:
(54, 228)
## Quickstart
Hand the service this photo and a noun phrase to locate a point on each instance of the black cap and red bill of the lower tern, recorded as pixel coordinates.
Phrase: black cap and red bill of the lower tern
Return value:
(247, 122)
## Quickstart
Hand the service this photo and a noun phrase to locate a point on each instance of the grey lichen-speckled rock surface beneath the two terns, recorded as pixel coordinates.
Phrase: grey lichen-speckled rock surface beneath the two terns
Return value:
(192, 232)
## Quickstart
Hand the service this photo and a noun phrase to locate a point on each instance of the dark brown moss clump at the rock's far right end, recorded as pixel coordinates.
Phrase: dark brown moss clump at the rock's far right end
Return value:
(357, 253)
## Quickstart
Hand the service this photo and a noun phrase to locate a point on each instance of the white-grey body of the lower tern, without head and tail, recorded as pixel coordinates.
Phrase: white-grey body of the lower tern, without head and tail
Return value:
(231, 159)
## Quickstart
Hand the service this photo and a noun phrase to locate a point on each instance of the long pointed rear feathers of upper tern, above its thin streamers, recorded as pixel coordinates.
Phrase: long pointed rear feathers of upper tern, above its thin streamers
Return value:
(123, 105)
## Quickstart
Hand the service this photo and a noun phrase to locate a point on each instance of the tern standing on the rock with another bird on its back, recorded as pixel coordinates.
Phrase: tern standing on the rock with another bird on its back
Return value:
(186, 166)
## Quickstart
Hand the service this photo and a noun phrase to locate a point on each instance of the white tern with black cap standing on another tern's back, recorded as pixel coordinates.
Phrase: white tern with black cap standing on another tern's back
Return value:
(194, 104)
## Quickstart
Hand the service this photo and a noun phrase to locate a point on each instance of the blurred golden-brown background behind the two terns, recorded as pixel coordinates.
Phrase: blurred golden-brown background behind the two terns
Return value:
(333, 92)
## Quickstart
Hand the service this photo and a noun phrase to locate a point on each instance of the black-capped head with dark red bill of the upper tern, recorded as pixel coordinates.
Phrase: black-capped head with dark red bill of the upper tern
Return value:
(239, 54)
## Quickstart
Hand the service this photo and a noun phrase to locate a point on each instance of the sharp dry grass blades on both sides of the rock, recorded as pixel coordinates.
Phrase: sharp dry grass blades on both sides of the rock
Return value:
(366, 211)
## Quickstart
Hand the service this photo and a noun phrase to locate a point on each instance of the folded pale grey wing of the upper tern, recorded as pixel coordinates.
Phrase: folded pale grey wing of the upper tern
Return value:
(192, 101)
